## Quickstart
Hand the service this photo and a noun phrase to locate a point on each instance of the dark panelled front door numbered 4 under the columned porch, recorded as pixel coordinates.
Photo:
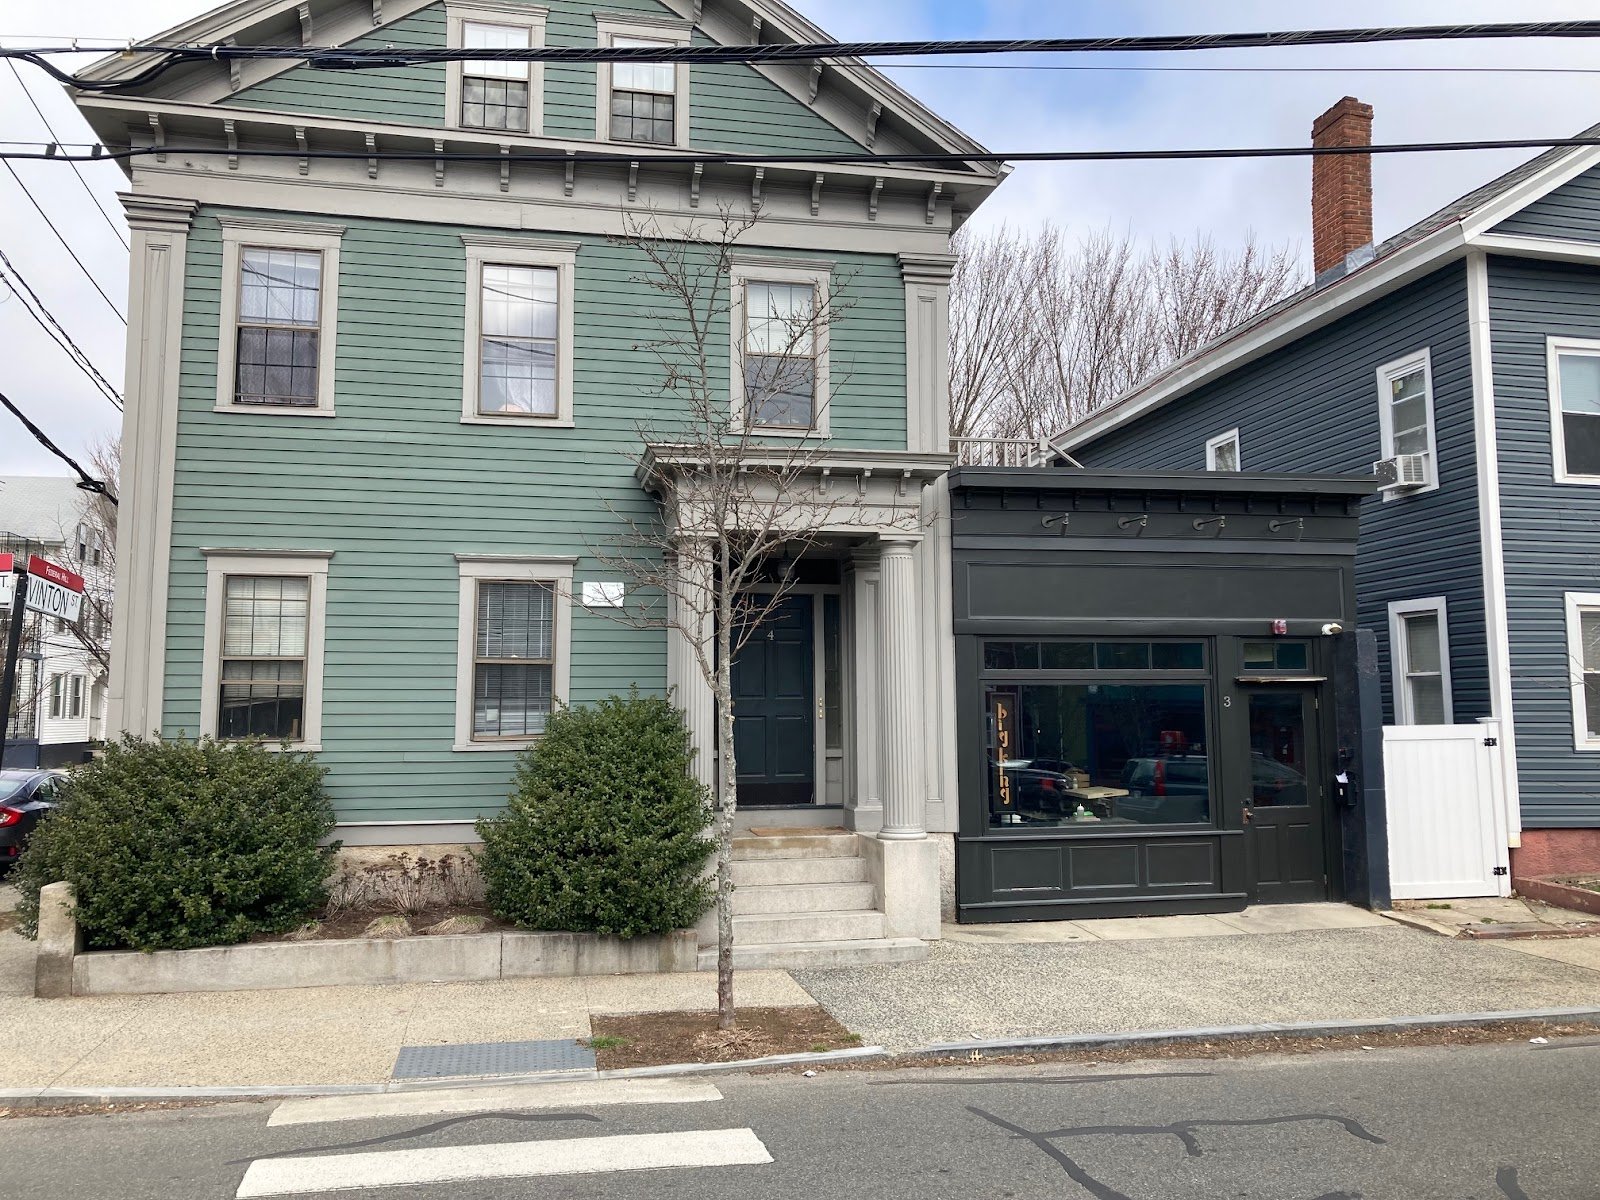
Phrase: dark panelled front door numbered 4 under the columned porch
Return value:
(774, 710)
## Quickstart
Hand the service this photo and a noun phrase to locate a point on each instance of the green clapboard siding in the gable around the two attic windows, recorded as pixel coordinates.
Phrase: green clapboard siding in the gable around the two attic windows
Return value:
(732, 108)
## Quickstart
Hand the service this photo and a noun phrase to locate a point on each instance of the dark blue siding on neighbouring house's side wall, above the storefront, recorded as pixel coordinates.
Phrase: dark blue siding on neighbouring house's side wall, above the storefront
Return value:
(1313, 407)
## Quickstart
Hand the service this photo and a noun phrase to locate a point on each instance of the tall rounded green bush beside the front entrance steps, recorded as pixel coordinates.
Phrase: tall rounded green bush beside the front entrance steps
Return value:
(606, 831)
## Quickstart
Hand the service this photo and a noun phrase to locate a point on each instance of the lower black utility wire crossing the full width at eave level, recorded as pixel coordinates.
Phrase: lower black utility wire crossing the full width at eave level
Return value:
(927, 159)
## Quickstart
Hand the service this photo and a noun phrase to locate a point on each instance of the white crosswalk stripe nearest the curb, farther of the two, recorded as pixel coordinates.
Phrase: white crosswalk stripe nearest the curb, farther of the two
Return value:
(522, 1098)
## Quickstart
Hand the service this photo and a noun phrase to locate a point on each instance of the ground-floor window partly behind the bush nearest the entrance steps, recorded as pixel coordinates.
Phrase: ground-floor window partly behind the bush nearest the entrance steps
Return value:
(514, 649)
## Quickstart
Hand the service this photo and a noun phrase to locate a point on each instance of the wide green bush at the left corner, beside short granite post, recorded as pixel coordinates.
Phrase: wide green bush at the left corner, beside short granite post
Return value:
(180, 844)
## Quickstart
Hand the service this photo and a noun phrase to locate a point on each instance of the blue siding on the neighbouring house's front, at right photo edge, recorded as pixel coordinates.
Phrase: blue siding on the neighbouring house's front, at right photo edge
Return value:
(1551, 532)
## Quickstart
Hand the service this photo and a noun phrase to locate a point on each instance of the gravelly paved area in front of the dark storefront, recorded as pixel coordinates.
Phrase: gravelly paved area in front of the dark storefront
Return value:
(972, 991)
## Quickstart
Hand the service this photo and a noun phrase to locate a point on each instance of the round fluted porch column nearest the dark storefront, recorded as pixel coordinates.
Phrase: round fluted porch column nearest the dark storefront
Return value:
(905, 809)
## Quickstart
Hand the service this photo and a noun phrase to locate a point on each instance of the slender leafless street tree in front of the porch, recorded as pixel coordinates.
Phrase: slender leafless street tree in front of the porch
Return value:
(738, 506)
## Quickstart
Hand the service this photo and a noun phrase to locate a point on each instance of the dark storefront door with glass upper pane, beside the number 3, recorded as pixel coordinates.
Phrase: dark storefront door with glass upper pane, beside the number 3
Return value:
(1286, 798)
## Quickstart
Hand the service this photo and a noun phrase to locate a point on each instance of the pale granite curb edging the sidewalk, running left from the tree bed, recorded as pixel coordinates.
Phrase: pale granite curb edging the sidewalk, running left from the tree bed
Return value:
(50, 1098)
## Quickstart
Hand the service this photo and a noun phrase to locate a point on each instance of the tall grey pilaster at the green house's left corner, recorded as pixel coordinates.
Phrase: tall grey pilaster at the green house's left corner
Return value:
(150, 447)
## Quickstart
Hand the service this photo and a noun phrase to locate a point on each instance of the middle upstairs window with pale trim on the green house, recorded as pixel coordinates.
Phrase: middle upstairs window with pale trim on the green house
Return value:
(521, 329)
